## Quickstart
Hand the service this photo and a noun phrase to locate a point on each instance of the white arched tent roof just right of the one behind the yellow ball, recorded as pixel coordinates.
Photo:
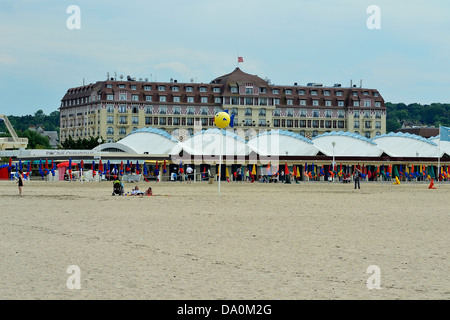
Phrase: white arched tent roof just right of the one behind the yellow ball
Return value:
(281, 142)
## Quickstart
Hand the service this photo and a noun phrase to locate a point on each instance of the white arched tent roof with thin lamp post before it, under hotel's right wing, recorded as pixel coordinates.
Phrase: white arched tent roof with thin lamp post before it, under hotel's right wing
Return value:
(346, 145)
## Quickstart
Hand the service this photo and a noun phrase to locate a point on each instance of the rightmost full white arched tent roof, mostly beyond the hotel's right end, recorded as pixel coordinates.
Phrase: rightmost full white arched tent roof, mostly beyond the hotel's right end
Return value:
(406, 145)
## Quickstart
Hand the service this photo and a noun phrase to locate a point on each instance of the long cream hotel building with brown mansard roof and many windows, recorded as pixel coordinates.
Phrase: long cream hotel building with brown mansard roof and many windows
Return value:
(114, 108)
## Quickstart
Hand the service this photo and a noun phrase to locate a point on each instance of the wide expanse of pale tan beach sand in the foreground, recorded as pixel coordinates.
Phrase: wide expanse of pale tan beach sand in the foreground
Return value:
(255, 241)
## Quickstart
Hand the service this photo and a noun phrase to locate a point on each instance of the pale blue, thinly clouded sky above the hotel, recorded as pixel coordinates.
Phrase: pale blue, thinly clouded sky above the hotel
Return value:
(401, 48)
